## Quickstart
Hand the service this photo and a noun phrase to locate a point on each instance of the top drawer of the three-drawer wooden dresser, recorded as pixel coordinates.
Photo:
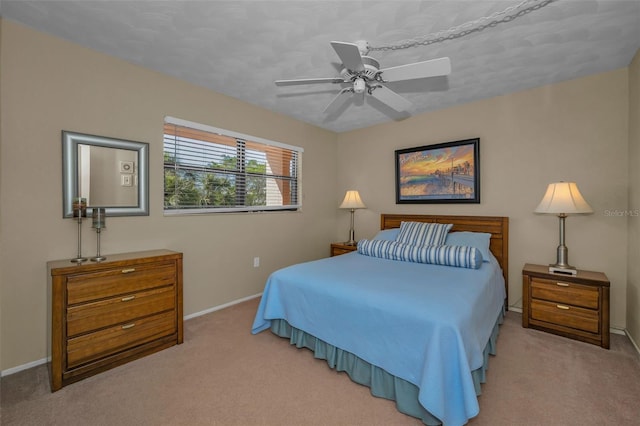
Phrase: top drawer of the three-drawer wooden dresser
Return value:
(124, 280)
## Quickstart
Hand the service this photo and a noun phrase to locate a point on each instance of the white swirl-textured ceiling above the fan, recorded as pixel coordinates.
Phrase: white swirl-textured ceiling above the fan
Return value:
(239, 48)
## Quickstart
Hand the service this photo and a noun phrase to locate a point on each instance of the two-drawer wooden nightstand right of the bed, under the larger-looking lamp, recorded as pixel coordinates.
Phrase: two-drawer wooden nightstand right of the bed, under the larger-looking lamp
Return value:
(573, 306)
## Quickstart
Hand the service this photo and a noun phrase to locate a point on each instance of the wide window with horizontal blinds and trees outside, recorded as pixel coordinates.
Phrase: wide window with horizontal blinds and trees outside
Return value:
(214, 170)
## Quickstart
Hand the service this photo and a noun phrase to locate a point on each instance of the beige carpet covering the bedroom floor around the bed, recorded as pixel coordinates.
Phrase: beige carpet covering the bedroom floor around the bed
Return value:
(223, 375)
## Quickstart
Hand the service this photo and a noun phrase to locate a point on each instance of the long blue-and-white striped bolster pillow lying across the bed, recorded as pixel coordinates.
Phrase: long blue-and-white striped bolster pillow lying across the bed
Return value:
(458, 256)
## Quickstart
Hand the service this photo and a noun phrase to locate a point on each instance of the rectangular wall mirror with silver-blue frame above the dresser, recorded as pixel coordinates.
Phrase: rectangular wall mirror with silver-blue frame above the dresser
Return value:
(109, 173)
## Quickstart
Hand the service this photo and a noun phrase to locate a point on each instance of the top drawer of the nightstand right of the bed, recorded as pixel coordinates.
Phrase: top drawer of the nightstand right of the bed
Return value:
(565, 293)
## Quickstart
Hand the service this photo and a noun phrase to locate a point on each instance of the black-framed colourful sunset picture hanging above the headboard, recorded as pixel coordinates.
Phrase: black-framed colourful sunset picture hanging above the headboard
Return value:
(442, 173)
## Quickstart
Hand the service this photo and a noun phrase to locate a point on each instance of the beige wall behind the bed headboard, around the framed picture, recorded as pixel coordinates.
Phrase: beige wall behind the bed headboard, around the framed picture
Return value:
(572, 131)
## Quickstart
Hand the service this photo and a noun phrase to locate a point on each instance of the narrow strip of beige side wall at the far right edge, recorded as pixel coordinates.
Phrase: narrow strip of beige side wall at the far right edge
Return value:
(633, 285)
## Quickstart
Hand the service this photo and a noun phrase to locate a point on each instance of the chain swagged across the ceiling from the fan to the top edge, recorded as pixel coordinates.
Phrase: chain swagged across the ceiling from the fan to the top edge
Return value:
(506, 15)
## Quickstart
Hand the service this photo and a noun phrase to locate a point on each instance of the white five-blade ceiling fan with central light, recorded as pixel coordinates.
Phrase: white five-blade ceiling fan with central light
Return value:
(362, 75)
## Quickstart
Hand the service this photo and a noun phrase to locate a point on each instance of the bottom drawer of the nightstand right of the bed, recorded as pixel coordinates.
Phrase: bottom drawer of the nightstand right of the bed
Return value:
(565, 315)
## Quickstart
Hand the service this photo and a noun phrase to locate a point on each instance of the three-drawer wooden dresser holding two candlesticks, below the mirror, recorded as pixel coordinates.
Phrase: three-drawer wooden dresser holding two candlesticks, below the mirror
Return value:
(104, 314)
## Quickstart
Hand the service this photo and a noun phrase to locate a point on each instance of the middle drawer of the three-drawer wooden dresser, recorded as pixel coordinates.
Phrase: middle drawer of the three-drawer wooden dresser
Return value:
(91, 316)
